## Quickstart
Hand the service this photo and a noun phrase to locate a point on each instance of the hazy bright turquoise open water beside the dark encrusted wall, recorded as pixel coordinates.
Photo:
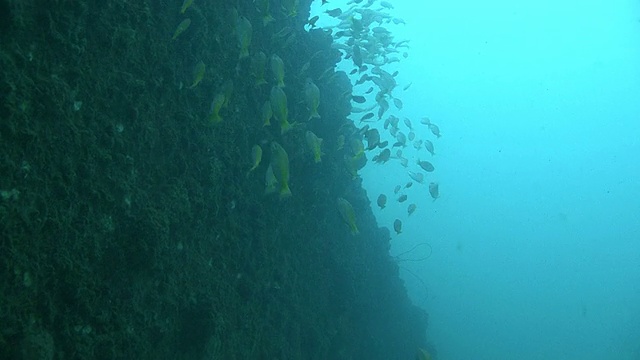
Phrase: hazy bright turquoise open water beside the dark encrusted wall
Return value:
(536, 234)
